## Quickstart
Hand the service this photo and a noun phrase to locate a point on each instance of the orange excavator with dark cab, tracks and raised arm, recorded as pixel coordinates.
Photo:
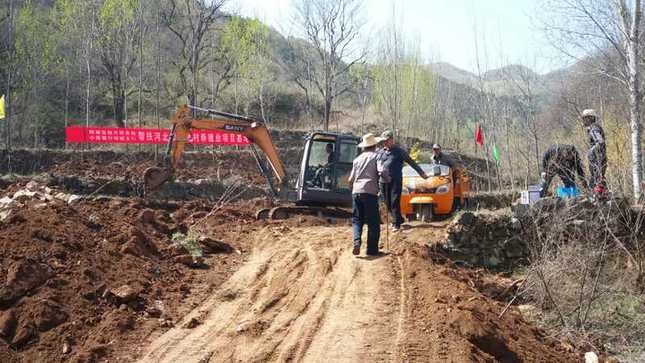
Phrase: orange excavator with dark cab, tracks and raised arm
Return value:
(321, 188)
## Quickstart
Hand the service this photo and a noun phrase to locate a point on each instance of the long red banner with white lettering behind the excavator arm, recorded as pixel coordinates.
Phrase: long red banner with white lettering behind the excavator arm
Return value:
(115, 135)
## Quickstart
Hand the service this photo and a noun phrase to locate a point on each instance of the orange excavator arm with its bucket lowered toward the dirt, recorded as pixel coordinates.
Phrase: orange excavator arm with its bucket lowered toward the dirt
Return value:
(183, 123)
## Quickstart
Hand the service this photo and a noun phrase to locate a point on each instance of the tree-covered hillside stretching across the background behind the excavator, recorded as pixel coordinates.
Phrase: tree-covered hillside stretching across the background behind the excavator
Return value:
(129, 62)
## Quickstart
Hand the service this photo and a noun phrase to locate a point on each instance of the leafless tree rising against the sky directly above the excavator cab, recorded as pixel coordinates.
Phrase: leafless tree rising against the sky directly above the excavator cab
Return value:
(332, 26)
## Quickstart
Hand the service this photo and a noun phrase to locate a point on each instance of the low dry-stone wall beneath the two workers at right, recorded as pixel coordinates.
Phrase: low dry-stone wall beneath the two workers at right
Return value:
(501, 239)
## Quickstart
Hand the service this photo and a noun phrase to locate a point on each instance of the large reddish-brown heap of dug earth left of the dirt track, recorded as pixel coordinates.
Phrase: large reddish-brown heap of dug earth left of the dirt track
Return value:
(80, 279)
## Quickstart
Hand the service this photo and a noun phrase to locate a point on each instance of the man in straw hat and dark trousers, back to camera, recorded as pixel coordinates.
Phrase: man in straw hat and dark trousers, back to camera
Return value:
(364, 179)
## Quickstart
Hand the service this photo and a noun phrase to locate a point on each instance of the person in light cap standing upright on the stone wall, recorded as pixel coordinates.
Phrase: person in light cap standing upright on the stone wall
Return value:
(597, 153)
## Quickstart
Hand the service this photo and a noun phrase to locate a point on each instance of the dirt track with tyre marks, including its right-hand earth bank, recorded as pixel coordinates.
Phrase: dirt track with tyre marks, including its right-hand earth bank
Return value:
(303, 297)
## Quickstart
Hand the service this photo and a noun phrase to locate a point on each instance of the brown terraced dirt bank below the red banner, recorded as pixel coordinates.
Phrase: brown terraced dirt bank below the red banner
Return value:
(201, 176)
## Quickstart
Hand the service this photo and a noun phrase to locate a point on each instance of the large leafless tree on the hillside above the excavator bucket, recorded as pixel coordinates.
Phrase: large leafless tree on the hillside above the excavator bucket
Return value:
(190, 21)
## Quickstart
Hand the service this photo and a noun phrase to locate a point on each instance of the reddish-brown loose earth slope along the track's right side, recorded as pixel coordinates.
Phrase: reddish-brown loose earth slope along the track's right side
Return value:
(464, 323)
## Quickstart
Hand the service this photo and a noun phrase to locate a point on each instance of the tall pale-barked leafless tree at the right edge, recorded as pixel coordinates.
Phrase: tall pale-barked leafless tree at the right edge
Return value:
(605, 35)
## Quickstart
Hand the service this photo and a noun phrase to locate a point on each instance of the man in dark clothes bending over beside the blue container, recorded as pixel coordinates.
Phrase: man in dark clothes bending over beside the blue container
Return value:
(563, 161)
